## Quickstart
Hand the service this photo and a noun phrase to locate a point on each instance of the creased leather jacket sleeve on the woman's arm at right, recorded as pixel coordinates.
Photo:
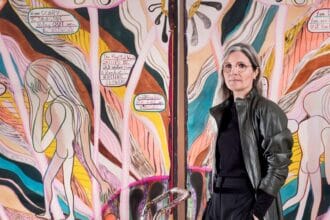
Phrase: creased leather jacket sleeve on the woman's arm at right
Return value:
(276, 144)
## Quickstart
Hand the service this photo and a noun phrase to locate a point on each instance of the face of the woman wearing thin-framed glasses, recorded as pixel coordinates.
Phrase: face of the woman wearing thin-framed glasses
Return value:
(238, 73)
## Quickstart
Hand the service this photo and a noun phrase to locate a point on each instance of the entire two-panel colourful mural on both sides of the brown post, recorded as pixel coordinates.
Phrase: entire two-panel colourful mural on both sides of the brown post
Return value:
(86, 102)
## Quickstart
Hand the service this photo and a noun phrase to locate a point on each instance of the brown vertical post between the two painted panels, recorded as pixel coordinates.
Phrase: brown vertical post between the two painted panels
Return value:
(179, 101)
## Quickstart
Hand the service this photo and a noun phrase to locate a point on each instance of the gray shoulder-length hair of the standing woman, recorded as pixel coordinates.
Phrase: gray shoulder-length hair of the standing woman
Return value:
(253, 57)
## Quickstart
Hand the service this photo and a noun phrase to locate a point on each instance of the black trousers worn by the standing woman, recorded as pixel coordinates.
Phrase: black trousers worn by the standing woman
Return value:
(232, 199)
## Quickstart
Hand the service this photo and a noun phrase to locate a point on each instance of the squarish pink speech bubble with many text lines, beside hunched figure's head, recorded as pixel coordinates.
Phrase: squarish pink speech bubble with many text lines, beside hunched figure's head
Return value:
(115, 68)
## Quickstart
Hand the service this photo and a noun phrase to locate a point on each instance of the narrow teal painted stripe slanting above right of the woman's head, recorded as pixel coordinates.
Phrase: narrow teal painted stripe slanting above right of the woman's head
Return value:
(260, 38)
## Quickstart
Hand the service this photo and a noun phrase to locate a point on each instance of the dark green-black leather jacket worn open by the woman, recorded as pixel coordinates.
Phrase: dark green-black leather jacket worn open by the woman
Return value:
(266, 144)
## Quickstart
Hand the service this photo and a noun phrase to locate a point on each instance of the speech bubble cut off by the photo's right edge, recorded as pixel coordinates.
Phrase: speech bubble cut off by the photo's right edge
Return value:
(319, 22)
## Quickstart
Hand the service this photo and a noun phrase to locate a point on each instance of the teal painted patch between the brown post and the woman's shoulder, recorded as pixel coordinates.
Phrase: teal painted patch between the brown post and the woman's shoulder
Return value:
(198, 110)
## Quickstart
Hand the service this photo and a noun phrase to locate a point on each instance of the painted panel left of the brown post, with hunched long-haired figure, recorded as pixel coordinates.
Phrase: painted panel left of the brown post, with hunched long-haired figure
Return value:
(85, 108)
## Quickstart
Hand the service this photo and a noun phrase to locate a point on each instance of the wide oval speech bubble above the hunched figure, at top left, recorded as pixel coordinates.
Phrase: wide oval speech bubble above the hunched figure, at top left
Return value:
(52, 21)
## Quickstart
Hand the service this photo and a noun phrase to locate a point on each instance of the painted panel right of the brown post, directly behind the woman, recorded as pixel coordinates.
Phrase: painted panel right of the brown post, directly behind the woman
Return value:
(292, 39)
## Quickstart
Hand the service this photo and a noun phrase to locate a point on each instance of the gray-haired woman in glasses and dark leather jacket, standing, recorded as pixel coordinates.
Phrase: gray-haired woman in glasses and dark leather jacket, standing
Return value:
(253, 147)
